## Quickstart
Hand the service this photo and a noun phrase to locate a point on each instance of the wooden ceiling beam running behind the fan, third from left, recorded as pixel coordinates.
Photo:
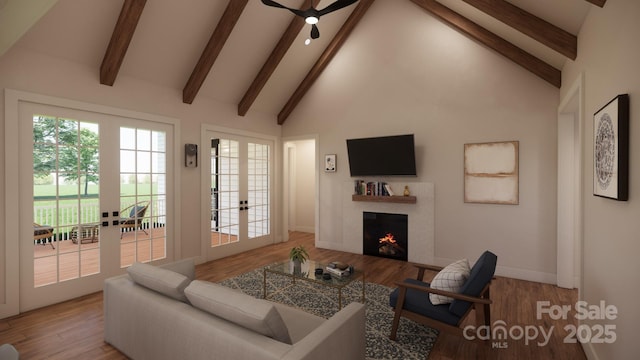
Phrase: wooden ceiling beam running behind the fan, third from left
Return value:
(274, 60)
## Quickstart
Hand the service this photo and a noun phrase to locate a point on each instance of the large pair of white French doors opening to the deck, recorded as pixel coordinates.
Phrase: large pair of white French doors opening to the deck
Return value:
(95, 195)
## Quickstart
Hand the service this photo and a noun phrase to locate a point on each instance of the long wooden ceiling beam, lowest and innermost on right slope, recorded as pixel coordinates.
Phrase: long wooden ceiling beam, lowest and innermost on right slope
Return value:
(493, 41)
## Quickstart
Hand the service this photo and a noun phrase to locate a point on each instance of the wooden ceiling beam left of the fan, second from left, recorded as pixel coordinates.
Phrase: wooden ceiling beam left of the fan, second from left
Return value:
(212, 50)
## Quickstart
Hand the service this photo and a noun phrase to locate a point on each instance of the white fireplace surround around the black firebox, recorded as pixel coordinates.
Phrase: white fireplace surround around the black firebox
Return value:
(421, 219)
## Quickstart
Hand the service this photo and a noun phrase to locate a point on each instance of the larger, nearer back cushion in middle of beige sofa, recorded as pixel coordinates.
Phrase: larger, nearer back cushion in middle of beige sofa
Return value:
(258, 315)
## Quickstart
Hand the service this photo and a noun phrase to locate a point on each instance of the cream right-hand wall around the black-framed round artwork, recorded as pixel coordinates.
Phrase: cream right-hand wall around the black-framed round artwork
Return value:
(608, 56)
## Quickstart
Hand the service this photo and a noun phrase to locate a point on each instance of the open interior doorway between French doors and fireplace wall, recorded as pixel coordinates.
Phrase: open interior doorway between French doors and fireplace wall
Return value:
(300, 185)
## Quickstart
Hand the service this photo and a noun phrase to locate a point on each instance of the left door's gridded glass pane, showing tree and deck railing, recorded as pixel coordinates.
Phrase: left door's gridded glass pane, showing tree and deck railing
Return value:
(65, 199)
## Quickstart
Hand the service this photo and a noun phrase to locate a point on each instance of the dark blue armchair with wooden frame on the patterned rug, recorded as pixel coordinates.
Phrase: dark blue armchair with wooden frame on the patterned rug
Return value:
(411, 300)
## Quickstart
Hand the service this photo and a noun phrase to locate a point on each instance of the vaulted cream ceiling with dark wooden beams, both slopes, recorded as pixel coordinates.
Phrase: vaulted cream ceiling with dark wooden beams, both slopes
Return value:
(243, 52)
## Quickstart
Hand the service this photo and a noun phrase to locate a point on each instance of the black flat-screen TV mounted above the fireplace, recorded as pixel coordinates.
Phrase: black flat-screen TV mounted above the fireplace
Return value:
(382, 156)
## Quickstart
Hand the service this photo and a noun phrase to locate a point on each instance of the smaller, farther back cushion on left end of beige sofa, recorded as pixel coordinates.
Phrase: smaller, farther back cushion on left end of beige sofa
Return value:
(164, 281)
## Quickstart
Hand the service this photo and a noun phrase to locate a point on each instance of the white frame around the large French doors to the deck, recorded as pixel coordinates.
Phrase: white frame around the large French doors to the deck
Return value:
(11, 304)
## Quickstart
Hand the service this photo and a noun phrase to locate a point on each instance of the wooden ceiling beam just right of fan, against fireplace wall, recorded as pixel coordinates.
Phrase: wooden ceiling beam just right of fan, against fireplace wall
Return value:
(324, 60)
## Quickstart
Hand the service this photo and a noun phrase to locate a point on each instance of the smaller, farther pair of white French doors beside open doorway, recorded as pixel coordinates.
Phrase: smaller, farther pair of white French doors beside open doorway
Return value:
(238, 184)
